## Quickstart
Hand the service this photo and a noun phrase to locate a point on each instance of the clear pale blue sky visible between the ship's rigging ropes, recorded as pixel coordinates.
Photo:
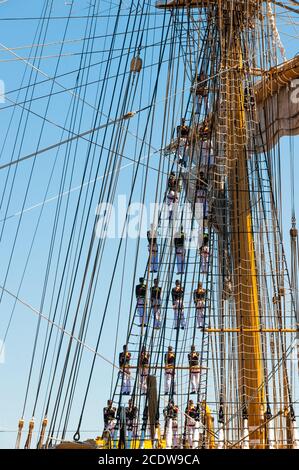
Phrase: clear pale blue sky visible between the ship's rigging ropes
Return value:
(18, 346)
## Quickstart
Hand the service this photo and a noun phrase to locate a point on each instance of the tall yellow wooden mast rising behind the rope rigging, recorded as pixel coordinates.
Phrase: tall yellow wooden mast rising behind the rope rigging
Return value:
(251, 381)
